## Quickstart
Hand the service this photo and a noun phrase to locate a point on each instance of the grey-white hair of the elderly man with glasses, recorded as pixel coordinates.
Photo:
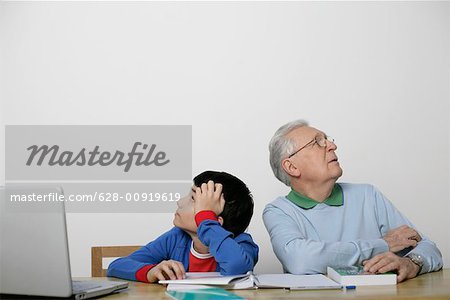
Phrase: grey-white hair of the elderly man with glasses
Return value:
(281, 147)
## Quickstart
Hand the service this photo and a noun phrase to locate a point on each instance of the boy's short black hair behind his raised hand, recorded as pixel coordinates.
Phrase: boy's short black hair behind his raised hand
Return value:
(238, 209)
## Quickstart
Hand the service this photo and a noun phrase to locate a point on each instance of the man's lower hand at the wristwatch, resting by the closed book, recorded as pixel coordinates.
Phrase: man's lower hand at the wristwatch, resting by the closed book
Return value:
(389, 261)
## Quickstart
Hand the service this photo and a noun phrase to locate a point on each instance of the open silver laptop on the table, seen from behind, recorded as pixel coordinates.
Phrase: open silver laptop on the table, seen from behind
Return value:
(34, 252)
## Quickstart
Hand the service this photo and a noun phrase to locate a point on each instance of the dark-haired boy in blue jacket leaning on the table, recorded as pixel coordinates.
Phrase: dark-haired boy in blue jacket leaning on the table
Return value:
(208, 235)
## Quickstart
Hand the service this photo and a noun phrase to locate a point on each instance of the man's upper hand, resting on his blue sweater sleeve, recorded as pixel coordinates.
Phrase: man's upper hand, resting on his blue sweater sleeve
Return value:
(401, 238)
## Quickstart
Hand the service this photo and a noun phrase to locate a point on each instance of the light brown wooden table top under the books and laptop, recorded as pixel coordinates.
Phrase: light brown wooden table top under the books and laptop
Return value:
(428, 286)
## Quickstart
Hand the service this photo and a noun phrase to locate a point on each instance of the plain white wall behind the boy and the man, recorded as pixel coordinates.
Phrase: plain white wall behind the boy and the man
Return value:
(373, 75)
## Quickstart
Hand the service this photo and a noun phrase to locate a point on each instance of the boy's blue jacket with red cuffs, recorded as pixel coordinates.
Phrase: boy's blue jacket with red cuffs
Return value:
(233, 255)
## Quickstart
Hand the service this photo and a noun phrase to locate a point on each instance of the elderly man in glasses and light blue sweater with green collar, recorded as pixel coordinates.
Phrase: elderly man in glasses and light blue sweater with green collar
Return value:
(322, 223)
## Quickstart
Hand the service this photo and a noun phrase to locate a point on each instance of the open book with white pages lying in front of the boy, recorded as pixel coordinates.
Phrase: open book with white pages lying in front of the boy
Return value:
(251, 281)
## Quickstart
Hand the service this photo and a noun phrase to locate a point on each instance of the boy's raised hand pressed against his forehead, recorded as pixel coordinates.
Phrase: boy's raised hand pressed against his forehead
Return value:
(209, 197)
